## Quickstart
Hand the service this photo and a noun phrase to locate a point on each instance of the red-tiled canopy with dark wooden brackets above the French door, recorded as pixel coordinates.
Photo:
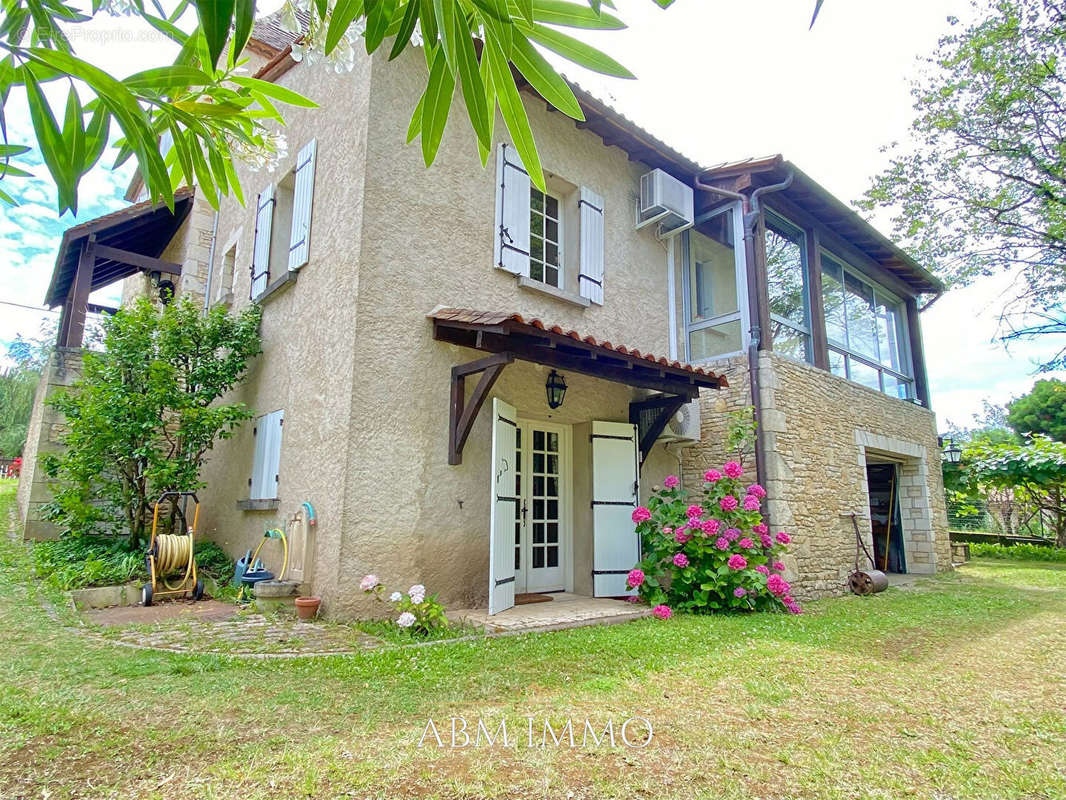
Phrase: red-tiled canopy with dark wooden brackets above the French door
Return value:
(510, 338)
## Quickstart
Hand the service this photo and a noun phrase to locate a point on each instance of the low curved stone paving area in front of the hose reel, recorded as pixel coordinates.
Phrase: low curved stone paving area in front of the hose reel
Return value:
(227, 631)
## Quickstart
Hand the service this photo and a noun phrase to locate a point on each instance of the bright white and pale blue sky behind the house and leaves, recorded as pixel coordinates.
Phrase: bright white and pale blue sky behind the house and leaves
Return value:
(718, 82)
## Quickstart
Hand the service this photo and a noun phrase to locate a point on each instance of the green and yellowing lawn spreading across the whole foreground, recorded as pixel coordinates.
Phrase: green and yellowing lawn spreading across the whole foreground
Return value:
(950, 691)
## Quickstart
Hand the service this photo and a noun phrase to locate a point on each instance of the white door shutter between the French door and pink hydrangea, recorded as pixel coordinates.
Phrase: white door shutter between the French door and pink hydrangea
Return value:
(617, 547)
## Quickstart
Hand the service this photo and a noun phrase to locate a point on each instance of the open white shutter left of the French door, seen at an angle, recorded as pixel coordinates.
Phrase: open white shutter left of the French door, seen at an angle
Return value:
(504, 508)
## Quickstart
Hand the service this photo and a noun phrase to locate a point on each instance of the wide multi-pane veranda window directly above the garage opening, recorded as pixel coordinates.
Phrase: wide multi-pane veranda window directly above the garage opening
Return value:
(866, 328)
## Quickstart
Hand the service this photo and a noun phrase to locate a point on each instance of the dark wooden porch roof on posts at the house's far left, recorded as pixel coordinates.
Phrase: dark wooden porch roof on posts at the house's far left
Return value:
(98, 253)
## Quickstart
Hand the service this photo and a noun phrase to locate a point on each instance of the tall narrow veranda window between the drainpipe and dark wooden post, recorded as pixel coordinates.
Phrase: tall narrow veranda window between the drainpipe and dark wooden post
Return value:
(787, 280)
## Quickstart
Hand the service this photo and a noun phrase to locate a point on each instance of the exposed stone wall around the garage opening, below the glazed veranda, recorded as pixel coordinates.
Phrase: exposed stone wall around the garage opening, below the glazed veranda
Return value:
(821, 433)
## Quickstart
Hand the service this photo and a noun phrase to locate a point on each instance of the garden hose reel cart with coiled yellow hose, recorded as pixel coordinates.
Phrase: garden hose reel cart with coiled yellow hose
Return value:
(173, 555)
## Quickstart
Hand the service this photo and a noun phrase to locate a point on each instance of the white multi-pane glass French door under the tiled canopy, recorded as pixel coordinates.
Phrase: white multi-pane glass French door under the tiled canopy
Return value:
(541, 523)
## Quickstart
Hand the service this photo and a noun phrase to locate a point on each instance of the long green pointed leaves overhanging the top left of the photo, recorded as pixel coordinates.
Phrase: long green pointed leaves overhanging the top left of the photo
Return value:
(212, 114)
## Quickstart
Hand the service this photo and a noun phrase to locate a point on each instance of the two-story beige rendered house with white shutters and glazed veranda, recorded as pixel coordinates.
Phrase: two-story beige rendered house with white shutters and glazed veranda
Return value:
(419, 328)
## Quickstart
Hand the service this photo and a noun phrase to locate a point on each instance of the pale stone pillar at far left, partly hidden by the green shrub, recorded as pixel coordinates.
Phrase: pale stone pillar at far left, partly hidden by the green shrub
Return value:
(44, 436)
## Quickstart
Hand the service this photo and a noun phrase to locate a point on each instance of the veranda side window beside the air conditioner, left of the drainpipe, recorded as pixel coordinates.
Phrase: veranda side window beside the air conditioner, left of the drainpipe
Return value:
(715, 287)
